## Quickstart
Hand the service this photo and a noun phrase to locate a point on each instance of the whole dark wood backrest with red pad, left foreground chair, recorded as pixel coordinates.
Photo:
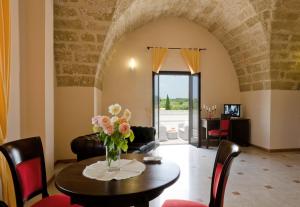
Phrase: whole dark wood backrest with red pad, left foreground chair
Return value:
(26, 161)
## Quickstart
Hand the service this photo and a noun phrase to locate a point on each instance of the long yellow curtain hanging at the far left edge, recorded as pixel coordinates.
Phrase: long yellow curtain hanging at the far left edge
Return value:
(6, 179)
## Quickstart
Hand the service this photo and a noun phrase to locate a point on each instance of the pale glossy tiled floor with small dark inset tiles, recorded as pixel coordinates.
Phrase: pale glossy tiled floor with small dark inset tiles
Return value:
(257, 178)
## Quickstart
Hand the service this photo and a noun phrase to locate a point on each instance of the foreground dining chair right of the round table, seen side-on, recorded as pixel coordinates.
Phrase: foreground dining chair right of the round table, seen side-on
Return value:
(226, 153)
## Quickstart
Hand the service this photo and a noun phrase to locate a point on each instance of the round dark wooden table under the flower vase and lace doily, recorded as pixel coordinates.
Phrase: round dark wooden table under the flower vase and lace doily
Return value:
(136, 191)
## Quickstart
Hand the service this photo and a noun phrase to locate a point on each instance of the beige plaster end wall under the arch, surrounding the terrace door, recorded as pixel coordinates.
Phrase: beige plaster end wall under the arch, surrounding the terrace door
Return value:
(133, 89)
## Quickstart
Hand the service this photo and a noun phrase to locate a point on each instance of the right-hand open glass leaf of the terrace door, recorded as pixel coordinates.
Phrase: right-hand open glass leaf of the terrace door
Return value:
(194, 110)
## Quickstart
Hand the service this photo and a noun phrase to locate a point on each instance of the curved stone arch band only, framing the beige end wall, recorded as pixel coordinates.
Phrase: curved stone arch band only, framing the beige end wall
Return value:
(237, 24)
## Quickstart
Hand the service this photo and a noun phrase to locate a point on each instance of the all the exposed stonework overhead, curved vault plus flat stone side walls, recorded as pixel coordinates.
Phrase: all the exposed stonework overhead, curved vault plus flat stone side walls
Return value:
(87, 31)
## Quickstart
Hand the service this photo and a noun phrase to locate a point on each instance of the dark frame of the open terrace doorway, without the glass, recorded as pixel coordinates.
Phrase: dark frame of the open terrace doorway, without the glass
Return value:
(190, 87)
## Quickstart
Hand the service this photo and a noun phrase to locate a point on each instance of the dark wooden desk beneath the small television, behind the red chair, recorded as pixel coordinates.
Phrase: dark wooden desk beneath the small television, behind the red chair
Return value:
(239, 129)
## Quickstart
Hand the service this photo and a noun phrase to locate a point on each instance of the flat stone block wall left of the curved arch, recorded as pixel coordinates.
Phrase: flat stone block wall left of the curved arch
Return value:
(80, 27)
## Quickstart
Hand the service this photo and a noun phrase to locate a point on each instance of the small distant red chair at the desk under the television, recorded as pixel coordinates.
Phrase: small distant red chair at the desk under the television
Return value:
(223, 131)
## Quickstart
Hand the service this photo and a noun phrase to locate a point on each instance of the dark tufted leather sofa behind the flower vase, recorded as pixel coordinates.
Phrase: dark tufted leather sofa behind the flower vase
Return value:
(89, 146)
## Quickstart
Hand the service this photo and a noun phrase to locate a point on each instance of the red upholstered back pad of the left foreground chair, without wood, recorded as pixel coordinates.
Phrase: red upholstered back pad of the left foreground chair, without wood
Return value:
(30, 176)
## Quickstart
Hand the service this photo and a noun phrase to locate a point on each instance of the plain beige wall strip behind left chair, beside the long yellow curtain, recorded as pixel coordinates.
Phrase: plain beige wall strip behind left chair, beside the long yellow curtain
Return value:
(32, 36)
